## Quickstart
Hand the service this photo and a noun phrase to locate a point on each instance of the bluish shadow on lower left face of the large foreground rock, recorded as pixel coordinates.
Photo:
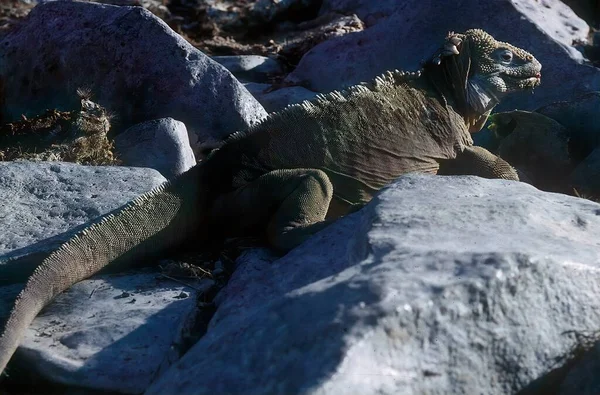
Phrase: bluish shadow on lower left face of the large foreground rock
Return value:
(276, 350)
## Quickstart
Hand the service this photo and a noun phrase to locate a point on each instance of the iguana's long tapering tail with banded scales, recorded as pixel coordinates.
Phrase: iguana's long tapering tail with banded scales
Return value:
(151, 223)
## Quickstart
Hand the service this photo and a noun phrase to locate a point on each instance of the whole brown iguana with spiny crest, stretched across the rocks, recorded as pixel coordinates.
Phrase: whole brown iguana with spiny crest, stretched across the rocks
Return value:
(300, 168)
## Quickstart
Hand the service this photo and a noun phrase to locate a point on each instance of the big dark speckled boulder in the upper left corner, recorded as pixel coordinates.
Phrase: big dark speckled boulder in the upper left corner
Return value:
(131, 61)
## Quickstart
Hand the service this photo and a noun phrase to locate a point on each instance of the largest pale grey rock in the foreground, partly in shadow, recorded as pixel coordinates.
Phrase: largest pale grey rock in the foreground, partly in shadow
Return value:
(442, 285)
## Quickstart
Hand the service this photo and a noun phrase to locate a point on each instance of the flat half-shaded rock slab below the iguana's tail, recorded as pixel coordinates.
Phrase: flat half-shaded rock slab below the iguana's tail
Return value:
(111, 333)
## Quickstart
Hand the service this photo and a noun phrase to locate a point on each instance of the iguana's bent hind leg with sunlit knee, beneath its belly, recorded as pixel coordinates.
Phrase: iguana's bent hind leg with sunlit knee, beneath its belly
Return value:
(290, 203)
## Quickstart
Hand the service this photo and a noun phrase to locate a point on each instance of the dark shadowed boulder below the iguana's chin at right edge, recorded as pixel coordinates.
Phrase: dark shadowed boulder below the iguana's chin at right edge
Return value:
(557, 146)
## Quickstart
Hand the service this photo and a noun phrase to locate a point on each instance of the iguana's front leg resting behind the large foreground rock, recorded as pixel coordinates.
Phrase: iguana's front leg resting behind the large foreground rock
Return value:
(477, 161)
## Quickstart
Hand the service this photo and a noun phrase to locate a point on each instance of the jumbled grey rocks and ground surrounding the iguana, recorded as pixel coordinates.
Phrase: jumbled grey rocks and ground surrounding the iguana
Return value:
(441, 285)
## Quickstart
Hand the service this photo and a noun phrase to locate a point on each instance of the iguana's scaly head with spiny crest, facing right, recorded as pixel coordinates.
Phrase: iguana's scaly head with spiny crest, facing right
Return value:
(480, 71)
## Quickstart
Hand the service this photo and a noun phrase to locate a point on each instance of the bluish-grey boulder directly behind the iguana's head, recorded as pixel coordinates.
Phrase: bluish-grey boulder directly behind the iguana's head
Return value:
(403, 40)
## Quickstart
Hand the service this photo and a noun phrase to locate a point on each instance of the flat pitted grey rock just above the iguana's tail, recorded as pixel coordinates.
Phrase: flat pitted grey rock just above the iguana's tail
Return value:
(43, 204)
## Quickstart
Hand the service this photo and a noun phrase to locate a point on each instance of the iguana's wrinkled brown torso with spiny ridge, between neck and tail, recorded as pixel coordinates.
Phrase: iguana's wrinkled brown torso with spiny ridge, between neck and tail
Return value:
(362, 138)
